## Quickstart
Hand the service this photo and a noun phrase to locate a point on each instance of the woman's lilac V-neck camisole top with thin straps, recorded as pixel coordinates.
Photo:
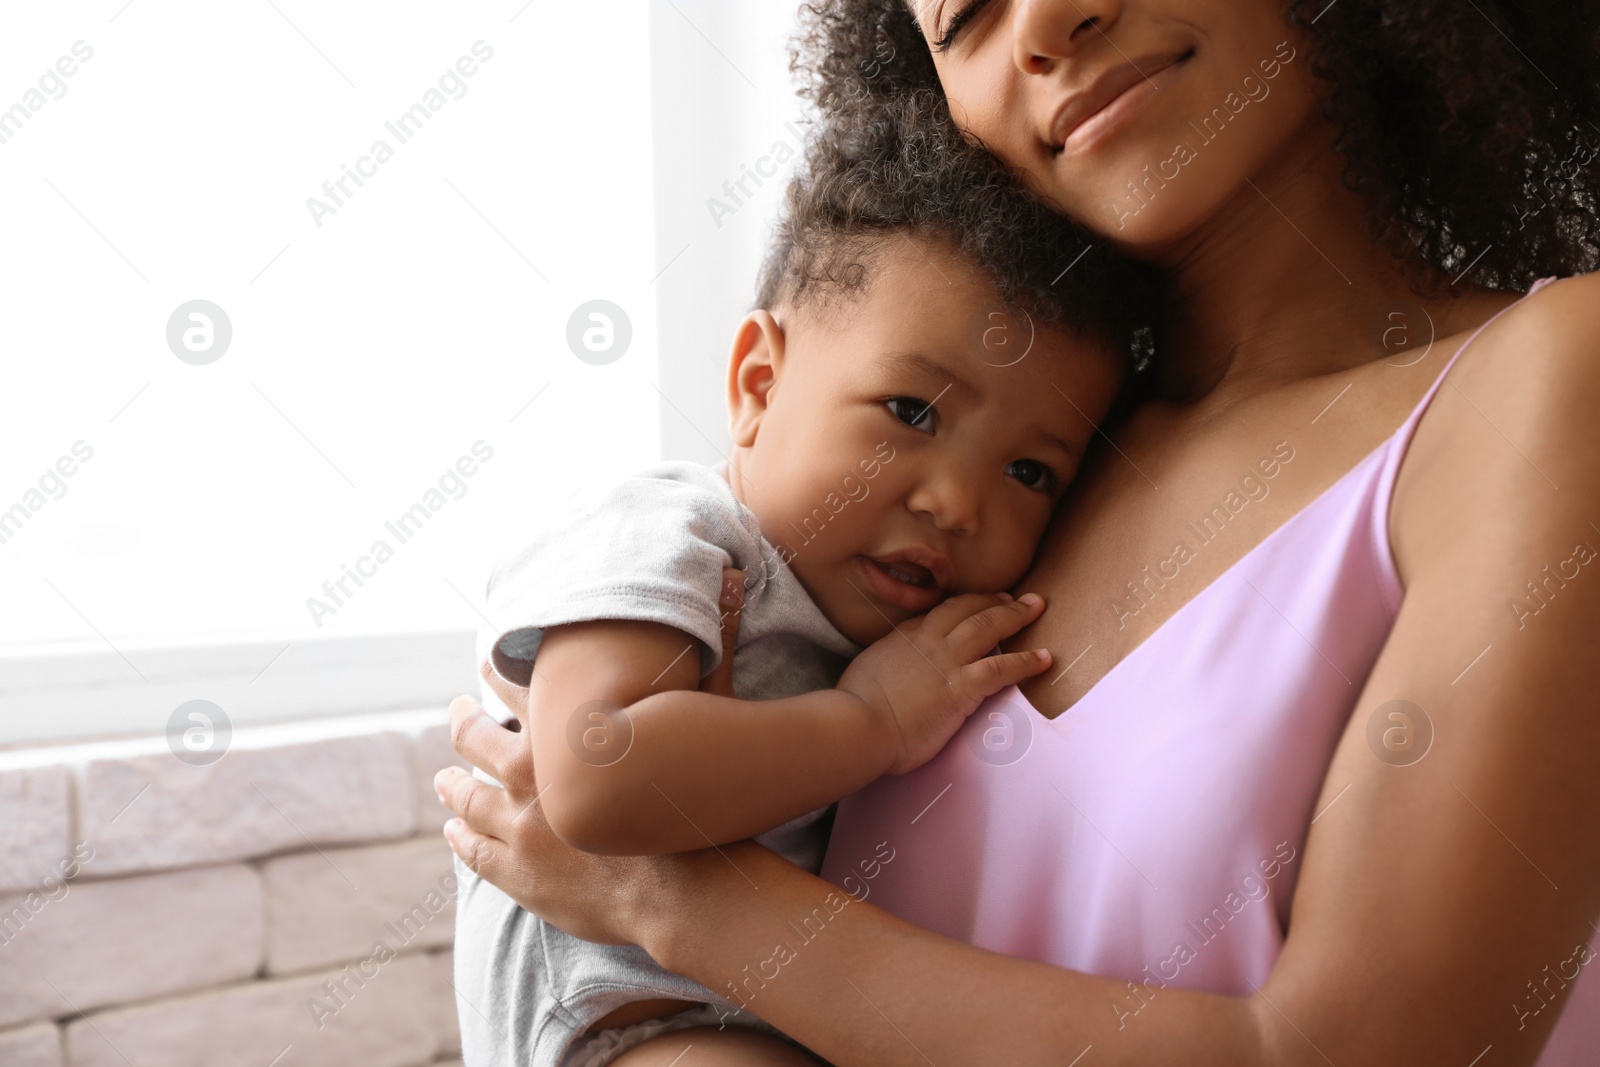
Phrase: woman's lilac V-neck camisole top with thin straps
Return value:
(1156, 829)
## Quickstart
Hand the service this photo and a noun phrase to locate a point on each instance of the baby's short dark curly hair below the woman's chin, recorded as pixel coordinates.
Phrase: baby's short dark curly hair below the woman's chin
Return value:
(900, 169)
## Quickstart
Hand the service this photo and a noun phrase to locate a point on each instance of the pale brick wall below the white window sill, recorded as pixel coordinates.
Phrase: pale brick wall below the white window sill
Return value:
(287, 906)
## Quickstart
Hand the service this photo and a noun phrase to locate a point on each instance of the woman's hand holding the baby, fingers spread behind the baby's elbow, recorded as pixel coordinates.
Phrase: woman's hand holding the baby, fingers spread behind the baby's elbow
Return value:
(503, 836)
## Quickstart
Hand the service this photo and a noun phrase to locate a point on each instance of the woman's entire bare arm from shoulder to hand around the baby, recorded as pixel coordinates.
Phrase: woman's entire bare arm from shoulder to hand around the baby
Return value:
(1434, 897)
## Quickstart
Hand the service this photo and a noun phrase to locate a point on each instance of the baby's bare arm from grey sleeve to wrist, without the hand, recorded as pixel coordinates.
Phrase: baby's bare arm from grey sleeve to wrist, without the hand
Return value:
(698, 769)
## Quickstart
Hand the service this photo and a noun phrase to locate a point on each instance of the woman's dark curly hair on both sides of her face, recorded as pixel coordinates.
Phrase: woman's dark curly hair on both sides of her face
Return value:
(1471, 130)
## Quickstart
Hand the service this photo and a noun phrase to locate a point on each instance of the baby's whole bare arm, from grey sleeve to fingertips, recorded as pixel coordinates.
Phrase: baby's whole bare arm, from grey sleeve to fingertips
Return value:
(705, 770)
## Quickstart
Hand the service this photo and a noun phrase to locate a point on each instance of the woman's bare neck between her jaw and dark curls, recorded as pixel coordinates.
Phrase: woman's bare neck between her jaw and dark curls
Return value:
(1284, 284)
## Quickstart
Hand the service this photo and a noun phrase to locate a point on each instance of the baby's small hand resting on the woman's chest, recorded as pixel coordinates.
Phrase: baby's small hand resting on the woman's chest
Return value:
(926, 679)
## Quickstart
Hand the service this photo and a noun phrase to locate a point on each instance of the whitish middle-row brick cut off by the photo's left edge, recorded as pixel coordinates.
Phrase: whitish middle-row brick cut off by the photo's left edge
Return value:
(108, 943)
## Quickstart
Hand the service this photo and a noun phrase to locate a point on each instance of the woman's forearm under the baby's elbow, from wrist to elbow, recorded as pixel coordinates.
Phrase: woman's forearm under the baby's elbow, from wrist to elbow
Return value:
(868, 989)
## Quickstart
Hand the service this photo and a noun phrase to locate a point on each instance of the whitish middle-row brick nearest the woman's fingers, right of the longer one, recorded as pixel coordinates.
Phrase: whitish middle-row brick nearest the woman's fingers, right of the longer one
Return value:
(334, 906)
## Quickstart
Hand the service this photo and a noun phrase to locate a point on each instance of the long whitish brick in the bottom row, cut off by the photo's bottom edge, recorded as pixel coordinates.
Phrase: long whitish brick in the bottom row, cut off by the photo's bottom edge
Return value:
(383, 1021)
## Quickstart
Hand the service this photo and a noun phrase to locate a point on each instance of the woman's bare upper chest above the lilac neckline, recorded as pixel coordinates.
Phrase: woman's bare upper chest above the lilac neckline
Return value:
(1174, 505)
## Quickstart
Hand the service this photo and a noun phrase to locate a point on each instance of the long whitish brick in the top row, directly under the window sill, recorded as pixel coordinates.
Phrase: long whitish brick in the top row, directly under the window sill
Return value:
(154, 812)
